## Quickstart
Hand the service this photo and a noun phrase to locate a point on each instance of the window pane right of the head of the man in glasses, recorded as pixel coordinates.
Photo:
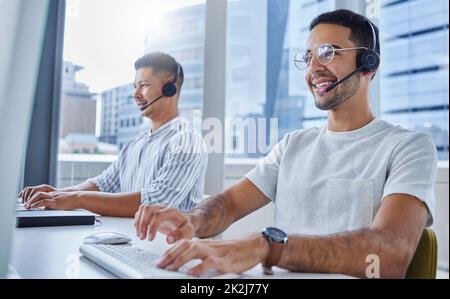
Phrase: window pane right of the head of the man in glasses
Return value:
(414, 72)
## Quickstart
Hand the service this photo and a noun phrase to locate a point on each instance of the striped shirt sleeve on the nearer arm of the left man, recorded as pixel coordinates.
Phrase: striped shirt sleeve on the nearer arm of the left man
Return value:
(184, 165)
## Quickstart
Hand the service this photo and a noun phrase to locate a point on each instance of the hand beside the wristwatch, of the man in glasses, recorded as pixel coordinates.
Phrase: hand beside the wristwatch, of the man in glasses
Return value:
(233, 256)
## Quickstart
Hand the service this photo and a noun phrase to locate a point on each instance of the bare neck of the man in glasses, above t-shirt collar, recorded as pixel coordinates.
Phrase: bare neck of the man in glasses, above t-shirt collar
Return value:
(350, 116)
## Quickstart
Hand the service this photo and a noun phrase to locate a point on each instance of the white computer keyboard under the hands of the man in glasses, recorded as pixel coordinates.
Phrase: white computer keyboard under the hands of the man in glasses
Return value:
(126, 261)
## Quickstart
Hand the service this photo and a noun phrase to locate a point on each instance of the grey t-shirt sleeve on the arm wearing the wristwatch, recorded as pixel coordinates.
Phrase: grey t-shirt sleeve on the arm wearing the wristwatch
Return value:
(413, 170)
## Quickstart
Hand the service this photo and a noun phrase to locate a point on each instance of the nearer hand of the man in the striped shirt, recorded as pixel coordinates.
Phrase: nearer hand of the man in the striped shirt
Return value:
(56, 200)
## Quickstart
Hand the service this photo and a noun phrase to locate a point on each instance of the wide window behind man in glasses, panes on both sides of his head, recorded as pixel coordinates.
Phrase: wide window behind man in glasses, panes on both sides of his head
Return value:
(262, 82)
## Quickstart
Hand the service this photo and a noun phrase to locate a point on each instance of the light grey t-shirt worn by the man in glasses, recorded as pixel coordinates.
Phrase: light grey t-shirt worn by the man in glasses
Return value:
(325, 182)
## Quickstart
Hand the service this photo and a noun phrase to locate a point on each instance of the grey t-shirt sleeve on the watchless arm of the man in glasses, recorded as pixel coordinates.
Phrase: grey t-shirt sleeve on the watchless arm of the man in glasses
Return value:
(265, 175)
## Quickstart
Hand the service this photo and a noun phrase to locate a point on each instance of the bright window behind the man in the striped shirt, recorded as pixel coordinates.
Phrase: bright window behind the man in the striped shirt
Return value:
(102, 40)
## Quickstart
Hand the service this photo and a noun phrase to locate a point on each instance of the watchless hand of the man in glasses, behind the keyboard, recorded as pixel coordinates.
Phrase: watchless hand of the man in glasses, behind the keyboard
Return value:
(167, 220)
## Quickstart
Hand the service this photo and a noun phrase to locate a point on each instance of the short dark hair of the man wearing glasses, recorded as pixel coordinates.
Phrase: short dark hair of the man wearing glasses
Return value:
(361, 33)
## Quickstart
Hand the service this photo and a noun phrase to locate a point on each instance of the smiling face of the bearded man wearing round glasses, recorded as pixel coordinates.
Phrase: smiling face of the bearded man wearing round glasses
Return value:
(319, 76)
